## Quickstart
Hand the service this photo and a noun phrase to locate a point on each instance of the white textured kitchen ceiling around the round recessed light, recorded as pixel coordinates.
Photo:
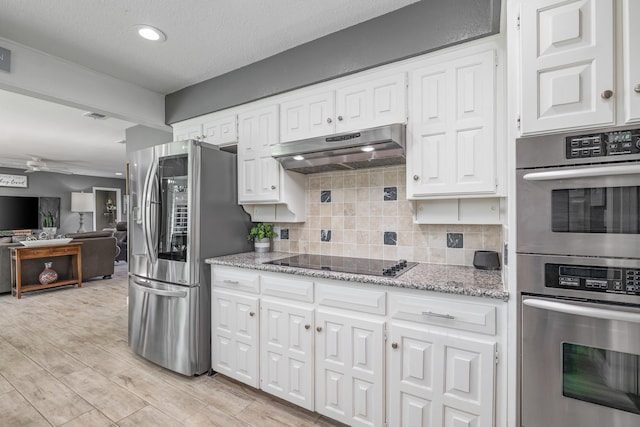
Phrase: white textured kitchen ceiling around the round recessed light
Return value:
(205, 38)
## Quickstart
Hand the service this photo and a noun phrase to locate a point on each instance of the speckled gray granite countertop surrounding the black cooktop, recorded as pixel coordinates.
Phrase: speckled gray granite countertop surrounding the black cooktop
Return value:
(451, 279)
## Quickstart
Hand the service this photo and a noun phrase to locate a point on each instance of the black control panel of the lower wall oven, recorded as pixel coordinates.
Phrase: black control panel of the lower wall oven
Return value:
(593, 279)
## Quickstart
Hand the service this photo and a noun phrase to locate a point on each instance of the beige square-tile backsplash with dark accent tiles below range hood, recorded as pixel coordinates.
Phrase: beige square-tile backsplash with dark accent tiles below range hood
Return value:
(365, 214)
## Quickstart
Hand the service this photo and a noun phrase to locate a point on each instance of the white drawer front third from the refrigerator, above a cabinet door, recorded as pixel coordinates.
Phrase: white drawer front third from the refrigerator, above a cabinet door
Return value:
(363, 300)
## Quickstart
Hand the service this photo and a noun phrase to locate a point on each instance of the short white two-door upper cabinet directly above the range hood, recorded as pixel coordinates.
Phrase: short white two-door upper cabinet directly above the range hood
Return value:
(366, 102)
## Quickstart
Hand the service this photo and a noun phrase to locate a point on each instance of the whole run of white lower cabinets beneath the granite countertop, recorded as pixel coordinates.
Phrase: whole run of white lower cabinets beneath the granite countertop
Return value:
(364, 355)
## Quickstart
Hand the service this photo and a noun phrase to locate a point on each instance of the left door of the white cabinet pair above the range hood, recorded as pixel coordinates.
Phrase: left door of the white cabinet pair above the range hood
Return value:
(307, 116)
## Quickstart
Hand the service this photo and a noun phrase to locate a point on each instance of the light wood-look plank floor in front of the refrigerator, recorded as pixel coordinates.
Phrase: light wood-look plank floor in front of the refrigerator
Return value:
(64, 360)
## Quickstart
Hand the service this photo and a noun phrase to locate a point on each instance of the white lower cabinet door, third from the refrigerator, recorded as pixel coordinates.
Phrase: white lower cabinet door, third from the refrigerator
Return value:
(350, 368)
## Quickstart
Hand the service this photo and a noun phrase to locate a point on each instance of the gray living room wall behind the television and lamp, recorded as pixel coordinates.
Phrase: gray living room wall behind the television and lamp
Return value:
(47, 184)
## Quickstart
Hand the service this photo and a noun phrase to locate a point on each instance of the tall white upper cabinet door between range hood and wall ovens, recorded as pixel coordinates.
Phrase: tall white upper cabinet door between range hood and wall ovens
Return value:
(451, 141)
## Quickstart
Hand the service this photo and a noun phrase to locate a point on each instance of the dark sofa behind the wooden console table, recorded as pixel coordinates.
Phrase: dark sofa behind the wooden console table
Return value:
(99, 250)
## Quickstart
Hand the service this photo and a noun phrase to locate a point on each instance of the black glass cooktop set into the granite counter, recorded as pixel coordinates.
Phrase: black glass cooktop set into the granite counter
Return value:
(372, 267)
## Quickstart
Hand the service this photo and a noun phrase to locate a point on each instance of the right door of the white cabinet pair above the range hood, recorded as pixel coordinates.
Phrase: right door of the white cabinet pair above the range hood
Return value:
(372, 103)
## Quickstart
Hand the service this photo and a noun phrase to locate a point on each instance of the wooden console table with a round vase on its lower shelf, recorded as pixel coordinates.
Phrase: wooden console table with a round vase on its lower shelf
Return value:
(19, 254)
